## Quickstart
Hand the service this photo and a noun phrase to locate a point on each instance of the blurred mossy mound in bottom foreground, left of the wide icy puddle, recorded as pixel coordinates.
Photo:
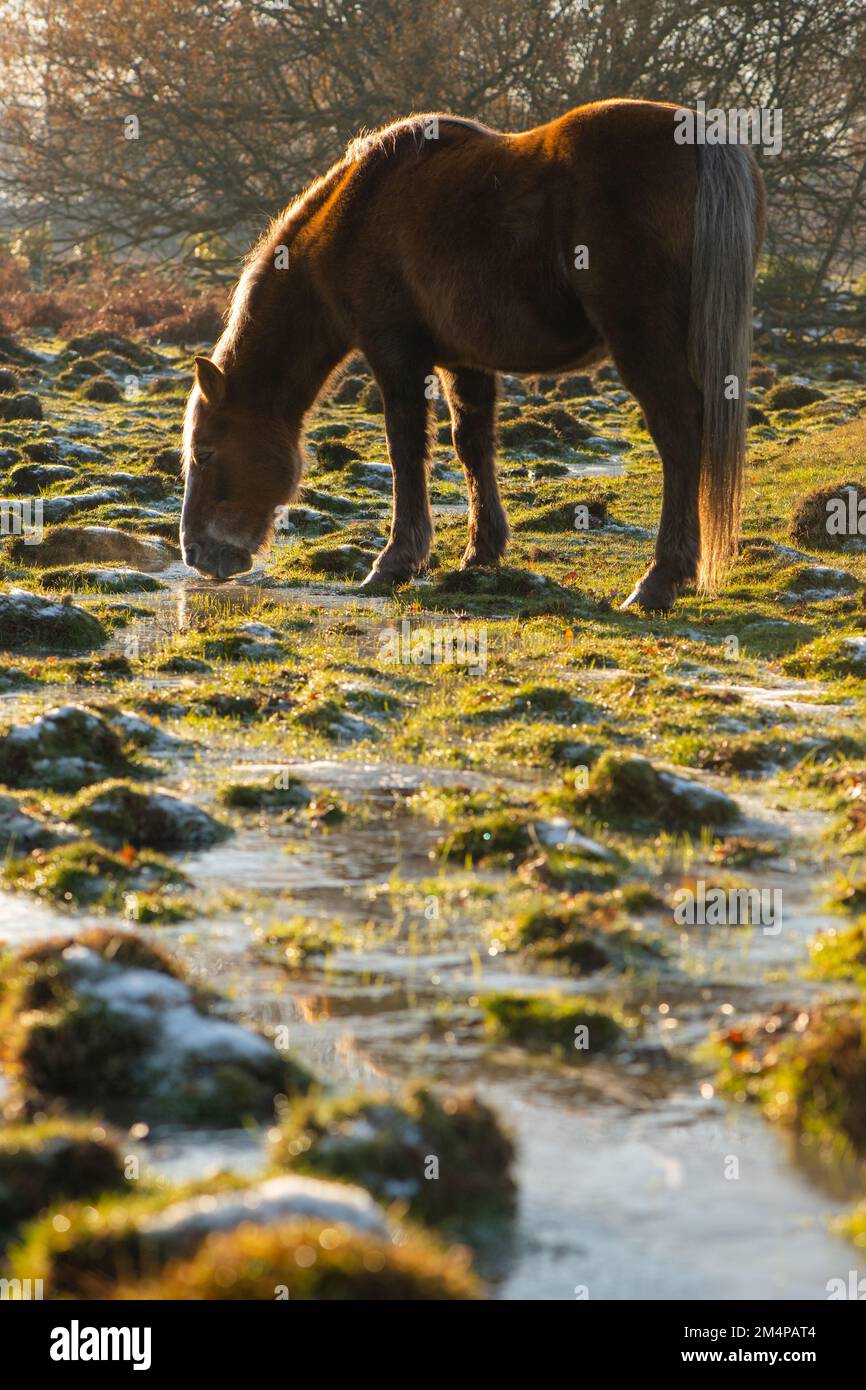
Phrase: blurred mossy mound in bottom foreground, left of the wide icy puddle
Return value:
(448, 1160)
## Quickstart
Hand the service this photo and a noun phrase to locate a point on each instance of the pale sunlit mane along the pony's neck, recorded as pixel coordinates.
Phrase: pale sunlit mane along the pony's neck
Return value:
(368, 149)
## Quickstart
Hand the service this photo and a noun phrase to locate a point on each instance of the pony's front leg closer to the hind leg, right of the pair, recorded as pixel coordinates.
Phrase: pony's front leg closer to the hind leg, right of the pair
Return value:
(472, 400)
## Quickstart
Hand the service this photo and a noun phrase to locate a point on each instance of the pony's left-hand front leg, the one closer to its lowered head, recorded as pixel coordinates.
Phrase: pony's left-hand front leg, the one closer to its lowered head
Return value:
(407, 426)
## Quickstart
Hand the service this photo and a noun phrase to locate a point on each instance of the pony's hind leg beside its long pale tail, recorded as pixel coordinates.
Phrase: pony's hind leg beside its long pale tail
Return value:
(657, 372)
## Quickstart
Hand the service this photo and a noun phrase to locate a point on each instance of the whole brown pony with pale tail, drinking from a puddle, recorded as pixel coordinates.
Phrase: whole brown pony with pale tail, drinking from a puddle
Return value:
(440, 245)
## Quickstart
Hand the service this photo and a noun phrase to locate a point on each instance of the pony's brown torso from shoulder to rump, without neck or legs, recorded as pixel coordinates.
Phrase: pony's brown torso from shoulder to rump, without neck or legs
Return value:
(475, 234)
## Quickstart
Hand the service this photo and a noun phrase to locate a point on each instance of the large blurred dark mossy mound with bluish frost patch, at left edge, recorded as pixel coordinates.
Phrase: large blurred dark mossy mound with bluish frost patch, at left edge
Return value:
(106, 1015)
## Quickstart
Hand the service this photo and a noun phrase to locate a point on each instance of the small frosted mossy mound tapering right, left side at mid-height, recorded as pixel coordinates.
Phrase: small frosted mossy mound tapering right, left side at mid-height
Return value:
(122, 815)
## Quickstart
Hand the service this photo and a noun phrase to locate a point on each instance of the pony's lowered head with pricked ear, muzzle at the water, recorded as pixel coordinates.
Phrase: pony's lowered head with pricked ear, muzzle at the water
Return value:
(240, 466)
